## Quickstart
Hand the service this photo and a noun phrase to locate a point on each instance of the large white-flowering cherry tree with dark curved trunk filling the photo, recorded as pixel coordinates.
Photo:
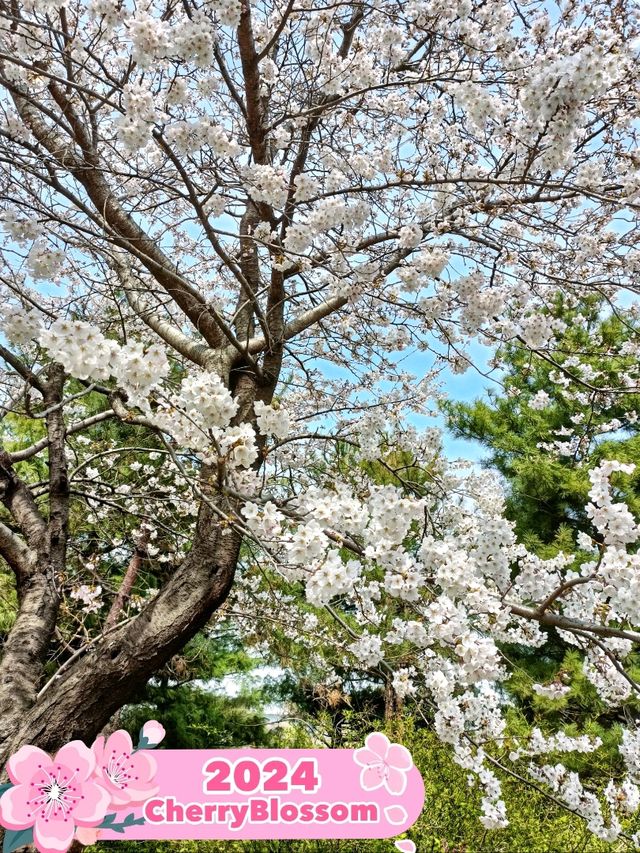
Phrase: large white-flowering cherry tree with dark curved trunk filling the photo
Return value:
(252, 232)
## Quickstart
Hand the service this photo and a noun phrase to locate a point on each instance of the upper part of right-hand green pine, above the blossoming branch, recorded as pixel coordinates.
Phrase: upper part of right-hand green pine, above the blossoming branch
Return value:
(548, 423)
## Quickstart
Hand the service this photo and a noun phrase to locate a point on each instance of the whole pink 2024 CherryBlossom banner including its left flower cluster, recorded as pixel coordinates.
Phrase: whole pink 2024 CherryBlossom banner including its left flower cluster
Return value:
(113, 790)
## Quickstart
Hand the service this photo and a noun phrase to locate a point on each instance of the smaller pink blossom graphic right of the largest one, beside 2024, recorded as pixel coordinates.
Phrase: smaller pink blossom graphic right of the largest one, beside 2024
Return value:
(125, 774)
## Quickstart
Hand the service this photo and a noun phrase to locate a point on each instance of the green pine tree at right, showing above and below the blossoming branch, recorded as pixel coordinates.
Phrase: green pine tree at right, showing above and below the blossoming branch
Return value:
(543, 428)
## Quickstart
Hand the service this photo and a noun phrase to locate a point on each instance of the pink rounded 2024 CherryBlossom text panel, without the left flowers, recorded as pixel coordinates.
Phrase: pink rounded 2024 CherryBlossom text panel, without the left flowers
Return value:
(262, 794)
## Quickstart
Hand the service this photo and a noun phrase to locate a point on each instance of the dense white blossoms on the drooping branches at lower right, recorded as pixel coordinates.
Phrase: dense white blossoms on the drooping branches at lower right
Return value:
(463, 586)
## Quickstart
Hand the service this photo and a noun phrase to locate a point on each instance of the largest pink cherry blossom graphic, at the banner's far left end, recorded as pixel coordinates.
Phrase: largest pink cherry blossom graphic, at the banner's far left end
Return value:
(53, 795)
